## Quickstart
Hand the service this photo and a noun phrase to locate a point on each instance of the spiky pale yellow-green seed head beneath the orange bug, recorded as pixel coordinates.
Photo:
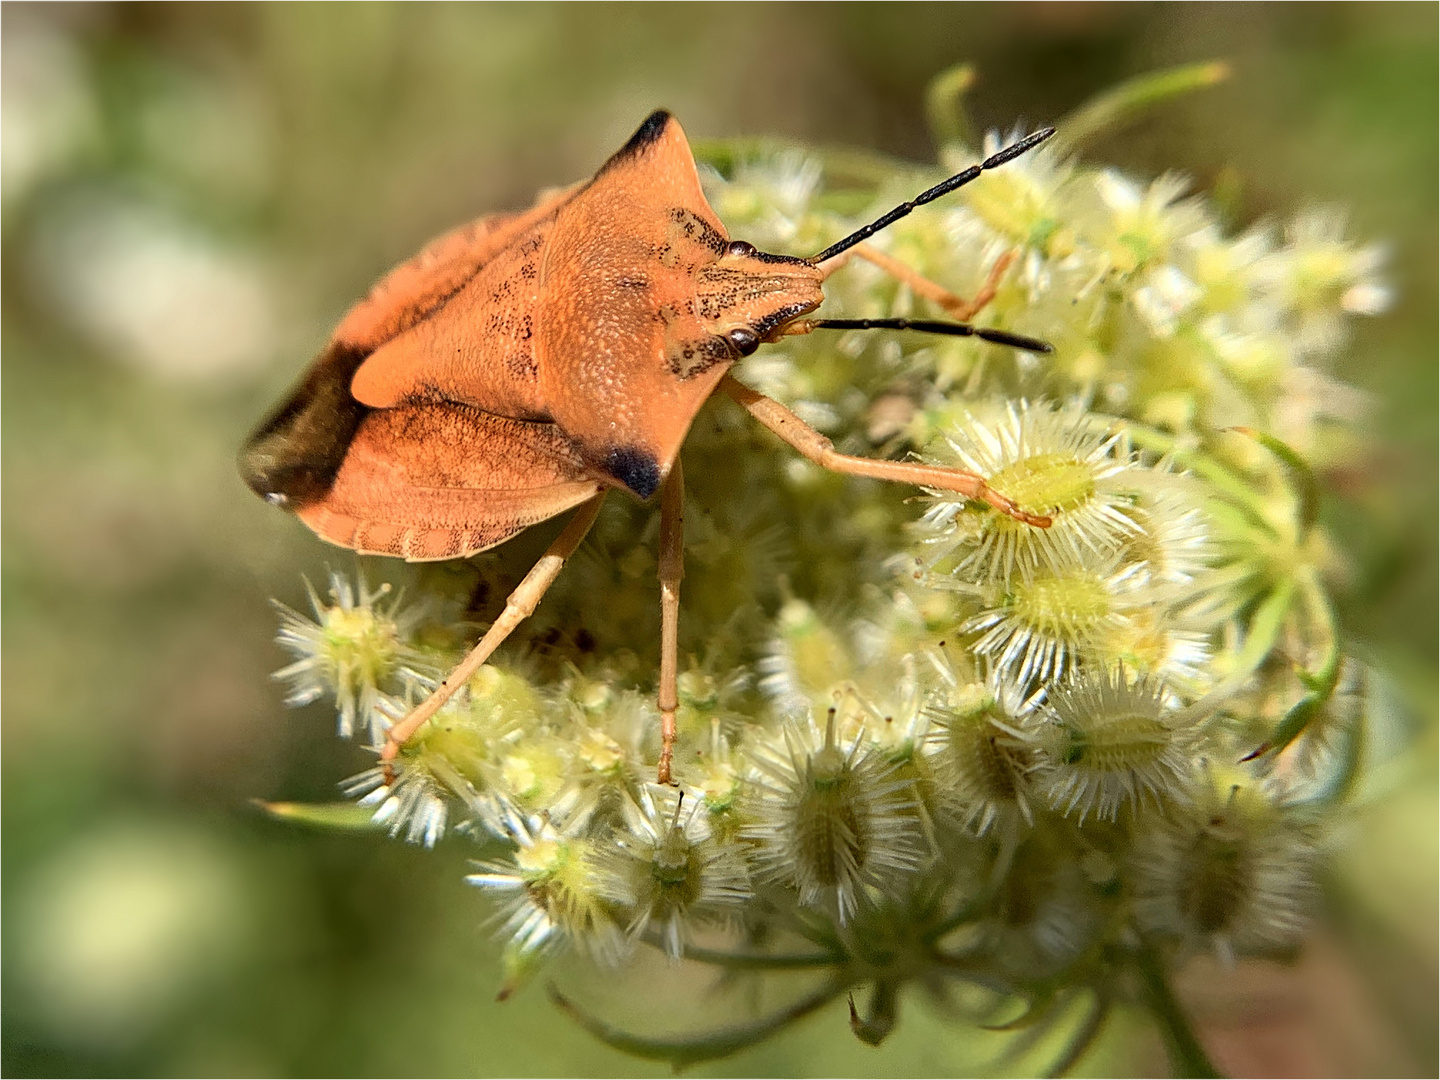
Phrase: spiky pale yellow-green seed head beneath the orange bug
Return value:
(921, 744)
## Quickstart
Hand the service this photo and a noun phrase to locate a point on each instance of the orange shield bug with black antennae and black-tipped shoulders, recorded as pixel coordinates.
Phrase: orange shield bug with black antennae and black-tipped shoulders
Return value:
(529, 364)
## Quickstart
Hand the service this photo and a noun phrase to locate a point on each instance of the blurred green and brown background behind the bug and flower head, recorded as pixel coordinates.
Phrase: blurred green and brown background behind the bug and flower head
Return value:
(192, 197)
